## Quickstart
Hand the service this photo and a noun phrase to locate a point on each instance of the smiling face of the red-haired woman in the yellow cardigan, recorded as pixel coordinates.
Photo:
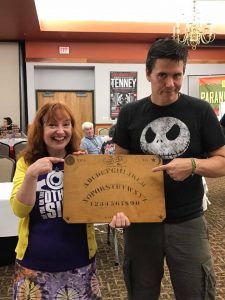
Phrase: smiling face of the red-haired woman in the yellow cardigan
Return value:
(57, 134)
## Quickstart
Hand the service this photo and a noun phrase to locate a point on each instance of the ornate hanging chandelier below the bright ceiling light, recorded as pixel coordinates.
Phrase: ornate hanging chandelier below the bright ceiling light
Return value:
(194, 33)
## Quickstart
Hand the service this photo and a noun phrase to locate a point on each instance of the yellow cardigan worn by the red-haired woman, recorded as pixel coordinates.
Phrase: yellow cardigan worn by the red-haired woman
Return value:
(22, 211)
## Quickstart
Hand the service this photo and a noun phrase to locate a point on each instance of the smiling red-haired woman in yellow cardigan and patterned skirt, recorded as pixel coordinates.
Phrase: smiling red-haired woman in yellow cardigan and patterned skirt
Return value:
(55, 260)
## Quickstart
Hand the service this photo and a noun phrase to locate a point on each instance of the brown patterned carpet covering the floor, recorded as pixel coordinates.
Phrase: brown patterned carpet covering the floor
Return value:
(111, 278)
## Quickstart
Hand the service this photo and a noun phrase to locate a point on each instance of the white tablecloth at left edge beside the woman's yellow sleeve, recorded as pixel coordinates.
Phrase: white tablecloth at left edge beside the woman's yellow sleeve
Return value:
(8, 221)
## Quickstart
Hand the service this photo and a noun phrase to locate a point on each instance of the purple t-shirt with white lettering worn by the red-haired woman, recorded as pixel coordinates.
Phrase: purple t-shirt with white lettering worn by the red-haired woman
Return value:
(53, 244)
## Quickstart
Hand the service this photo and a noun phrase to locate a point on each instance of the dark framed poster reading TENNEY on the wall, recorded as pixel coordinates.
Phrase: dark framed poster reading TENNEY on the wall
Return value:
(123, 89)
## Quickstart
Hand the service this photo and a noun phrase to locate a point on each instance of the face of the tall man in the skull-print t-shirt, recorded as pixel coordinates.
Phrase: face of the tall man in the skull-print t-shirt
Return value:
(166, 79)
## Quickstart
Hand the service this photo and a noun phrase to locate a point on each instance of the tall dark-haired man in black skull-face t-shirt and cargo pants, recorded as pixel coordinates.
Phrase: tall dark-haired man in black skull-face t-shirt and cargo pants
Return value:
(181, 129)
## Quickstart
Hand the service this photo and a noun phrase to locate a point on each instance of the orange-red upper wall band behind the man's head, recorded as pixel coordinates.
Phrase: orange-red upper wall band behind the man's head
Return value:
(111, 52)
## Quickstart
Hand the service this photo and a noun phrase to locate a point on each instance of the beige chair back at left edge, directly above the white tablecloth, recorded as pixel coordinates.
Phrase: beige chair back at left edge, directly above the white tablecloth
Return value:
(7, 168)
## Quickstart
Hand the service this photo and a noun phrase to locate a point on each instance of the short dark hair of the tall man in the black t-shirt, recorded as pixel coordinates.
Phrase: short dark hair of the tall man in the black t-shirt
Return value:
(166, 48)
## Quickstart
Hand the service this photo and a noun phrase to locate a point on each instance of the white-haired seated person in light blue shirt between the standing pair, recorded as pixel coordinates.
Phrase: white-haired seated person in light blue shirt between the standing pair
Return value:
(90, 142)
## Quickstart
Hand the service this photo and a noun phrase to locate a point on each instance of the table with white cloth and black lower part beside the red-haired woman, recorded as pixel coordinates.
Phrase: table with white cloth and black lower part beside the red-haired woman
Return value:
(8, 226)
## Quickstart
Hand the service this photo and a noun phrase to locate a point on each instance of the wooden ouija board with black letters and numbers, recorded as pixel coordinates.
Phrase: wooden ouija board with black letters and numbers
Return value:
(96, 187)
